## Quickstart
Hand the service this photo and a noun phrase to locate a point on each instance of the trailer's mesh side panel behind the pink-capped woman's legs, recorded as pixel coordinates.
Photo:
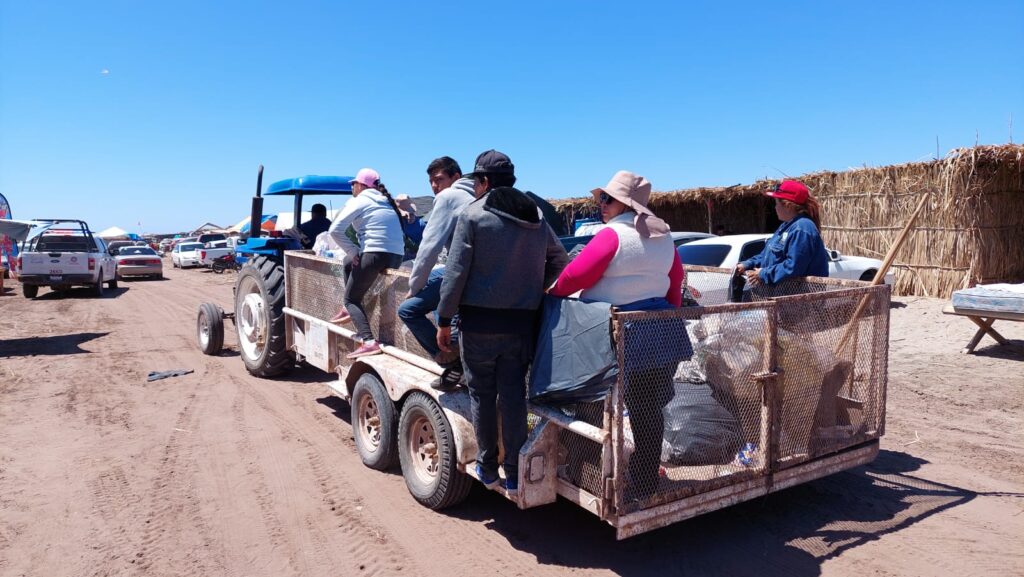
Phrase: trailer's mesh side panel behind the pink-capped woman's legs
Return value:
(317, 287)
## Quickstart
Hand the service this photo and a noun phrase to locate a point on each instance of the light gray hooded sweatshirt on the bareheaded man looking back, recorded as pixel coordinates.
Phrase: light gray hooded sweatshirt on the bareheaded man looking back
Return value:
(441, 226)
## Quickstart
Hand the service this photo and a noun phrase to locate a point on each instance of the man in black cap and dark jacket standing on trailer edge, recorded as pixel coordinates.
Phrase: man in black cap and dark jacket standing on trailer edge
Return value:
(503, 258)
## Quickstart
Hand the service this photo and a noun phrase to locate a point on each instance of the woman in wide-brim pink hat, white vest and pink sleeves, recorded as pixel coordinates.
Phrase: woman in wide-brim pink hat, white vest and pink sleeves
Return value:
(632, 264)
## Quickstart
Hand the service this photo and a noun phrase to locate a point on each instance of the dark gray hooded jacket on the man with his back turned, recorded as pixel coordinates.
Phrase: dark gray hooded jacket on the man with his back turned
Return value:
(503, 257)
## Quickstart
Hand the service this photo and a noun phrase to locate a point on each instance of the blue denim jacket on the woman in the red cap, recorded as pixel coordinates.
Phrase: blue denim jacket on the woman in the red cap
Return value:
(795, 251)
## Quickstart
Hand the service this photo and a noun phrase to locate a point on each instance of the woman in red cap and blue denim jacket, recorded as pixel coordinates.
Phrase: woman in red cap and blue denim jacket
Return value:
(796, 250)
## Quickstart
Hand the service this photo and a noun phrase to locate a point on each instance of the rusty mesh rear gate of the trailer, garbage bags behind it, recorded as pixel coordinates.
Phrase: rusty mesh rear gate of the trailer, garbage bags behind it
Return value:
(713, 396)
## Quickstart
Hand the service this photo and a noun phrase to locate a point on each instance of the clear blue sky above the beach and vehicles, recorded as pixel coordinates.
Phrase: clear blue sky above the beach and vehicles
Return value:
(159, 113)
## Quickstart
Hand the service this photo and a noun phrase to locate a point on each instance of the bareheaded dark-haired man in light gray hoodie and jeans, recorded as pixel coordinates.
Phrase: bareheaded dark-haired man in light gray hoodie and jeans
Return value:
(453, 194)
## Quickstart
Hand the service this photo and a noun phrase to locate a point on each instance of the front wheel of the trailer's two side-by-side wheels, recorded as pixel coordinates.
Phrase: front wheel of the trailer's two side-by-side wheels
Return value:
(374, 424)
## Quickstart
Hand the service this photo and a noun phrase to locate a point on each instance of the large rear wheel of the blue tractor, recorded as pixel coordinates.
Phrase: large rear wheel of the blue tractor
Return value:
(260, 319)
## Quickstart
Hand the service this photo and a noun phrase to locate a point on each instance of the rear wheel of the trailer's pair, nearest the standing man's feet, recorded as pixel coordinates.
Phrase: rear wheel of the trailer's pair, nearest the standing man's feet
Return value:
(428, 451)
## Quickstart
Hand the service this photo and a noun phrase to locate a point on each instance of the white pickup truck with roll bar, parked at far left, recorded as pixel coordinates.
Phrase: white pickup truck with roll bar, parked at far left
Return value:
(64, 254)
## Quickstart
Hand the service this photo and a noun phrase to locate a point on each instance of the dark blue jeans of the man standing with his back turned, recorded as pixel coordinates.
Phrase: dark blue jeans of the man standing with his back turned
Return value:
(496, 377)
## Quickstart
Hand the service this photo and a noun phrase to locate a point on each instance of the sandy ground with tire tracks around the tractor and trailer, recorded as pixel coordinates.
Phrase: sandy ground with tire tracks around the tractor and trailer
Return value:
(219, 473)
